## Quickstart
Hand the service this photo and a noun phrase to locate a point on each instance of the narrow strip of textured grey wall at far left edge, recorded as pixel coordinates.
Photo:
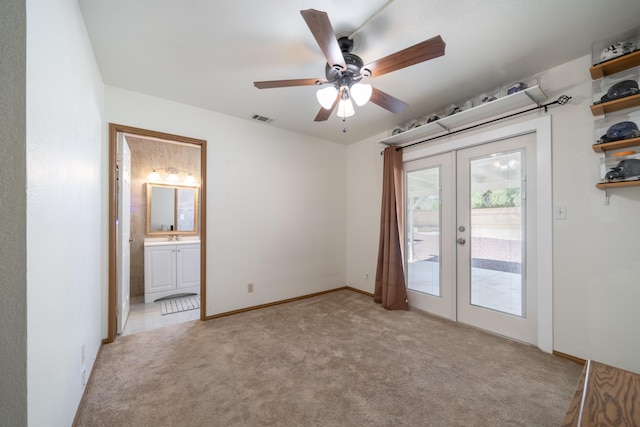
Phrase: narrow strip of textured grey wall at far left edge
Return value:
(13, 266)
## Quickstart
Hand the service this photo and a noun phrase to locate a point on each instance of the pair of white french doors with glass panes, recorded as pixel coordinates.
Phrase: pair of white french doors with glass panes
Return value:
(471, 236)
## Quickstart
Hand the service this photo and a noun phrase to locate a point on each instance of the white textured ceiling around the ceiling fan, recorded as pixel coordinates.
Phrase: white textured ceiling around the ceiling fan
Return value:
(209, 53)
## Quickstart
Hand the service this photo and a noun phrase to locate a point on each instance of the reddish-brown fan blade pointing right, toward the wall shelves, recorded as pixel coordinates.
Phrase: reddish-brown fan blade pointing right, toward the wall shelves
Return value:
(428, 49)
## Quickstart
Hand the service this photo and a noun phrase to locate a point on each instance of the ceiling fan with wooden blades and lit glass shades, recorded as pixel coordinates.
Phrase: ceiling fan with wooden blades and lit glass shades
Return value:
(345, 71)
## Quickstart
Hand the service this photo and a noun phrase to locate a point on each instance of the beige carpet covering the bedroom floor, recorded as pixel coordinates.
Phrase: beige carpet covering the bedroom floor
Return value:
(334, 360)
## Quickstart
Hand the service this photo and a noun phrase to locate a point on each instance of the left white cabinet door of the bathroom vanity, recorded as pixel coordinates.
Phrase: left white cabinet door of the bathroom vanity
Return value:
(159, 269)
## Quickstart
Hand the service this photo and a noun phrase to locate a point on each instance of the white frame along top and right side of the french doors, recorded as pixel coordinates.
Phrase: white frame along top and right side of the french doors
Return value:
(541, 126)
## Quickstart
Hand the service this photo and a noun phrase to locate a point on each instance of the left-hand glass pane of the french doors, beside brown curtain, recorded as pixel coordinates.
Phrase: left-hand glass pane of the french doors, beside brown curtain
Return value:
(423, 231)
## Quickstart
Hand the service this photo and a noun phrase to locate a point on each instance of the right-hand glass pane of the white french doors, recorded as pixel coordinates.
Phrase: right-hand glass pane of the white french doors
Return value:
(496, 232)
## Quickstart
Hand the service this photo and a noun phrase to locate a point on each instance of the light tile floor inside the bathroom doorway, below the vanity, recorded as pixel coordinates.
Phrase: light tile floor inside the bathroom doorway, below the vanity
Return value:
(145, 317)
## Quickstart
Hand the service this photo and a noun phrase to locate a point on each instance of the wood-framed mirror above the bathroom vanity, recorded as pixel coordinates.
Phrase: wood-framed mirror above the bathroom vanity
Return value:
(172, 209)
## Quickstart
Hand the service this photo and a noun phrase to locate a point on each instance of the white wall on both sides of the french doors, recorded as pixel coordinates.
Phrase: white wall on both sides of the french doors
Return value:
(596, 268)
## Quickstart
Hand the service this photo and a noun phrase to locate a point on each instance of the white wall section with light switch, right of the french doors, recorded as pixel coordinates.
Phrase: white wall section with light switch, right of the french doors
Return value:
(596, 265)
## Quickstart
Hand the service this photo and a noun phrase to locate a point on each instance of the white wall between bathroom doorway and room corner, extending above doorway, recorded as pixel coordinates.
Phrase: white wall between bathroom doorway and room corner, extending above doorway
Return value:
(276, 202)
